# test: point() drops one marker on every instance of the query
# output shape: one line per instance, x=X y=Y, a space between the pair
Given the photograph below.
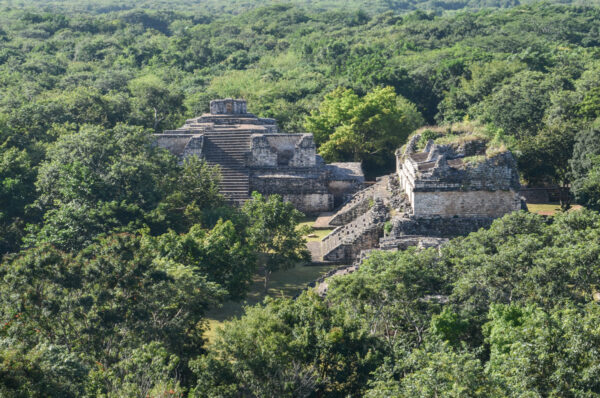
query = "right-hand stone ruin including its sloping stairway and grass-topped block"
x=449 y=185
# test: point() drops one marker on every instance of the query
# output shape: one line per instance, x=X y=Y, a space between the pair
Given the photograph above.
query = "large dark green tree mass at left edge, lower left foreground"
x=112 y=297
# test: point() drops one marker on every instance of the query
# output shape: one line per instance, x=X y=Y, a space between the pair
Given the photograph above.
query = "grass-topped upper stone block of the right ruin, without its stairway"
x=458 y=180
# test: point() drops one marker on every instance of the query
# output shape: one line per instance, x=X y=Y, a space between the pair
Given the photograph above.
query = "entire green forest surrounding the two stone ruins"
x=112 y=251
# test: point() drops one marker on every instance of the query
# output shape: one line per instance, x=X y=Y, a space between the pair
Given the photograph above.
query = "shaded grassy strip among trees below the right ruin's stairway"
x=282 y=284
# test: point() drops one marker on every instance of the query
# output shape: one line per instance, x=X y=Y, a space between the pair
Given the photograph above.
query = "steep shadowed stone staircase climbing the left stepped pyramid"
x=228 y=150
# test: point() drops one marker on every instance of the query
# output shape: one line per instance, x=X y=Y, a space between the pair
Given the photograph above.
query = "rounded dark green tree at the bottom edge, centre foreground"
x=289 y=348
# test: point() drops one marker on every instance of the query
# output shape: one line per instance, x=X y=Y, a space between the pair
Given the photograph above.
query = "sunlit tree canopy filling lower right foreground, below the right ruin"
x=504 y=312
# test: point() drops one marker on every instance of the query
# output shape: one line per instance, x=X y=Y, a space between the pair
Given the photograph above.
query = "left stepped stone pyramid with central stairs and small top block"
x=254 y=156
